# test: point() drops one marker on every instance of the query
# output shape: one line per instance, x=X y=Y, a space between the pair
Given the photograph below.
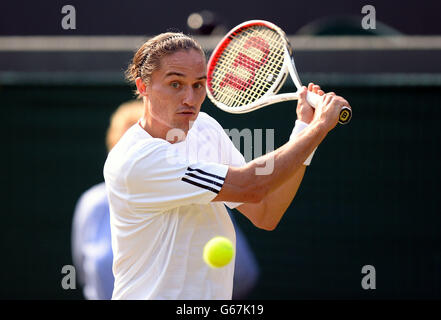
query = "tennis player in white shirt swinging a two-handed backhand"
x=170 y=175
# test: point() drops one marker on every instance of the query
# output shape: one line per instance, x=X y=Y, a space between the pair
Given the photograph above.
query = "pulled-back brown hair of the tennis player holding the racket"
x=148 y=57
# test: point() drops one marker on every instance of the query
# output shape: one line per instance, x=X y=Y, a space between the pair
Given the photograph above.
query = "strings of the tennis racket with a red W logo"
x=248 y=66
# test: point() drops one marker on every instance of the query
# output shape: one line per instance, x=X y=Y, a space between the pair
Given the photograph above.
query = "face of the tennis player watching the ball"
x=176 y=91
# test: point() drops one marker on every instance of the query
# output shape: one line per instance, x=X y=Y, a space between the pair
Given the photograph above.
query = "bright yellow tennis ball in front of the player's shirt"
x=218 y=252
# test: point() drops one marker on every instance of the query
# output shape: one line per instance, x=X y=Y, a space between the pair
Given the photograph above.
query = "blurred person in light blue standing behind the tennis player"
x=91 y=238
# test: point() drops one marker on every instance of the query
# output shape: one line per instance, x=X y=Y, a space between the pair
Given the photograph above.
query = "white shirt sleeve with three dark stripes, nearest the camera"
x=161 y=179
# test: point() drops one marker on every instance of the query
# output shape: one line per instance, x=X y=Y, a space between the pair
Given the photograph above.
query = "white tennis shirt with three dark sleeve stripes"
x=161 y=213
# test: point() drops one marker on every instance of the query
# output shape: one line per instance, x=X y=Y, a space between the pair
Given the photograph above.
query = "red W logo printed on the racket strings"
x=250 y=64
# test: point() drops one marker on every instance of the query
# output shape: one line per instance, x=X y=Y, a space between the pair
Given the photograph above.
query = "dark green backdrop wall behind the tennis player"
x=370 y=197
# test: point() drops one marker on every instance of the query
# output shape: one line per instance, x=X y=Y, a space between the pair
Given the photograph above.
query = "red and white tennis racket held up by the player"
x=250 y=65
